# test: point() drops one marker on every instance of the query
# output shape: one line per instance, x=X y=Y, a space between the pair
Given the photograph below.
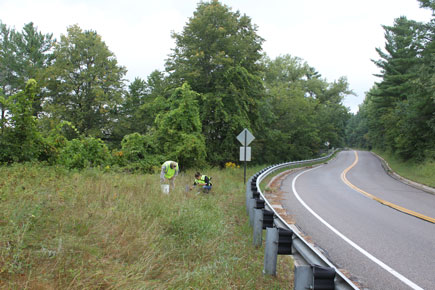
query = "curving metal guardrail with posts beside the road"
x=312 y=269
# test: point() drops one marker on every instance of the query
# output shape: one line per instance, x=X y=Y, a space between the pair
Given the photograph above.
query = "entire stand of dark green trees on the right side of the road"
x=398 y=113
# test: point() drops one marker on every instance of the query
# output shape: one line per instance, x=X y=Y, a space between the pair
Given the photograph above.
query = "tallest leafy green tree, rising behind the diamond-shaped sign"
x=218 y=54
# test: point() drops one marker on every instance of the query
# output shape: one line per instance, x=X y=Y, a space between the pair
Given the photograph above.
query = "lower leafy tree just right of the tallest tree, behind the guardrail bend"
x=306 y=110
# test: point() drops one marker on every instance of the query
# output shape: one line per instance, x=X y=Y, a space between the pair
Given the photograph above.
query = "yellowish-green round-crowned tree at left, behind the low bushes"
x=86 y=83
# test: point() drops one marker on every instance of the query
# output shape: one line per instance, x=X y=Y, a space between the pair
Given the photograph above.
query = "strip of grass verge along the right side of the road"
x=421 y=172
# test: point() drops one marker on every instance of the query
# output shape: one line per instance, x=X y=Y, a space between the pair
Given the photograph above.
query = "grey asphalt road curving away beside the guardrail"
x=381 y=248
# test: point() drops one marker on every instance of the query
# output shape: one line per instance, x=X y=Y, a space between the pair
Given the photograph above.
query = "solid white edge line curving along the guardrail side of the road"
x=346 y=239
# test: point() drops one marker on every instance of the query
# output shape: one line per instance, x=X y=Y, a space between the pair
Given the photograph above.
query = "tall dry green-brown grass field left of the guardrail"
x=62 y=229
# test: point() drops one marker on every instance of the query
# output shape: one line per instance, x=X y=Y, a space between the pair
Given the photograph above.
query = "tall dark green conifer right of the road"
x=400 y=100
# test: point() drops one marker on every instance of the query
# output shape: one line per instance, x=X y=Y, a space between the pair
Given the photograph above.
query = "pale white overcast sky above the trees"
x=336 y=37
